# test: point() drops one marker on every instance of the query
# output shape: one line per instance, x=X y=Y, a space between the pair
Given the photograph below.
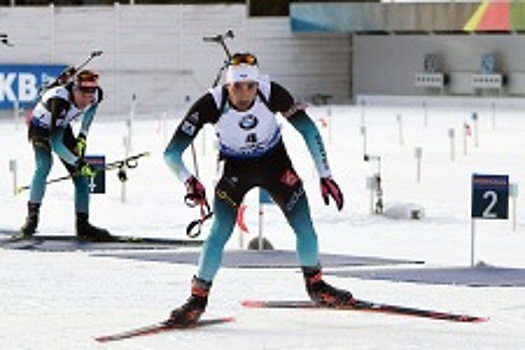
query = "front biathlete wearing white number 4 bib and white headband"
x=243 y=112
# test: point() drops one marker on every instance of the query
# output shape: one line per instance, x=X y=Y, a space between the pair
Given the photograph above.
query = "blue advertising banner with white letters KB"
x=21 y=82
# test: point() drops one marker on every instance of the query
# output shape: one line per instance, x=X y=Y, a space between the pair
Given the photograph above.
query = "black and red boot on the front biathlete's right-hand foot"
x=323 y=293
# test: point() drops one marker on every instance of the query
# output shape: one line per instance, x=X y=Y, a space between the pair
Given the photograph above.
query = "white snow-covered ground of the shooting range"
x=62 y=300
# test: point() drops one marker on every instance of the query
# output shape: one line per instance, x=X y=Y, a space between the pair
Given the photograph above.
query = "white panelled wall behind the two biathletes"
x=156 y=52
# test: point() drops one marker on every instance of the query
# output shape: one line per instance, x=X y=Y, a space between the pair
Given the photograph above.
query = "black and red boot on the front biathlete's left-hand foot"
x=190 y=312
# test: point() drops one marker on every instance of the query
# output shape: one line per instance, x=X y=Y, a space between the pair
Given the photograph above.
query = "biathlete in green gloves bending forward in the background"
x=50 y=133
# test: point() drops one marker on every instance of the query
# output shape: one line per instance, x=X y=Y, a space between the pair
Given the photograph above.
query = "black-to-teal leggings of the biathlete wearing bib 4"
x=273 y=172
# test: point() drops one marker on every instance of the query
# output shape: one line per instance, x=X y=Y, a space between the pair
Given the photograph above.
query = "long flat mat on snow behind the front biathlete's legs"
x=257 y=259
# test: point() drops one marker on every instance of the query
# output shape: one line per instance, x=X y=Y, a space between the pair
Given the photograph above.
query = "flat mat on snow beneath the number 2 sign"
x=485 y=276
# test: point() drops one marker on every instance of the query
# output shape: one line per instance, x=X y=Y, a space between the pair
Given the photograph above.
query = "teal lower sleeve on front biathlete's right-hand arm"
x=314 y=141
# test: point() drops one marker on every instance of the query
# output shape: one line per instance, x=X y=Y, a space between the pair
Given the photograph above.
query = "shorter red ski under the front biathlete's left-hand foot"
x=161 y=327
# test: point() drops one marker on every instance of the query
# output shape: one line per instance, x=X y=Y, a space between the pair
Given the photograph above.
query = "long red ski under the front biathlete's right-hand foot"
x=363 y=305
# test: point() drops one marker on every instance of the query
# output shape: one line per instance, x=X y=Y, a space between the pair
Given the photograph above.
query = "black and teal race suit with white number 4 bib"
x=251 y=145
